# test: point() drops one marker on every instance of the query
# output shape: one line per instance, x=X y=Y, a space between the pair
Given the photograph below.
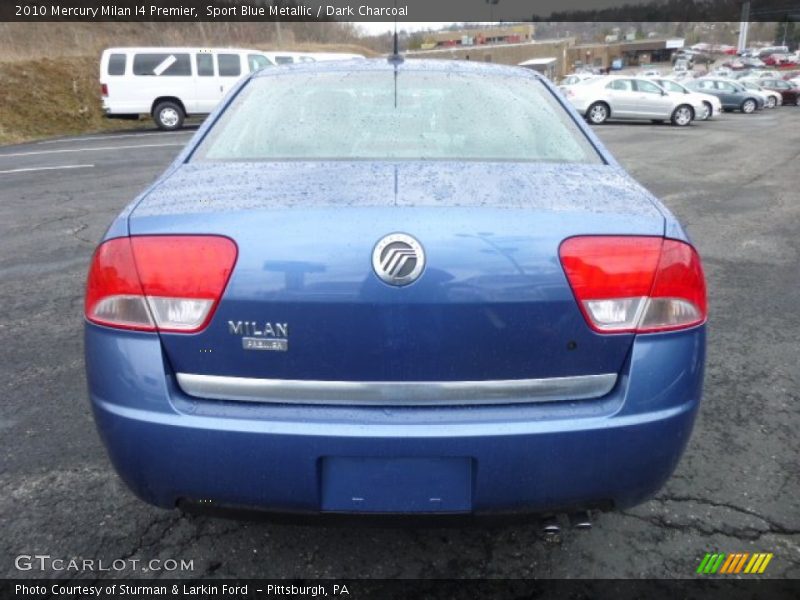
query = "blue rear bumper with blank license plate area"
x=611 y=451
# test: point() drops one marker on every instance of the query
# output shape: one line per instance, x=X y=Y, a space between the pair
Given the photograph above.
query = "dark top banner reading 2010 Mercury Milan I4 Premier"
x=399 y=10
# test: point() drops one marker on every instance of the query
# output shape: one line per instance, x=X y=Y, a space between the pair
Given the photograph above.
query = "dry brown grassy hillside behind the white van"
x=49 y=72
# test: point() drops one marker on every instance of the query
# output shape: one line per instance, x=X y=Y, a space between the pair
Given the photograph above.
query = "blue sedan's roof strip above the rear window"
x=383 y=64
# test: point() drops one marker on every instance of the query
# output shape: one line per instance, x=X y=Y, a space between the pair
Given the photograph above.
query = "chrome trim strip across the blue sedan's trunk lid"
x=397 y=393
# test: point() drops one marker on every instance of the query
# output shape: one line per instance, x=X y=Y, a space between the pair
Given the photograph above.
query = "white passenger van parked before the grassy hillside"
x=170 y=84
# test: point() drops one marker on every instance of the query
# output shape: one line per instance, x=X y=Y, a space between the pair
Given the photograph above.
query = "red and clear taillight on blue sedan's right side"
x=635 y=284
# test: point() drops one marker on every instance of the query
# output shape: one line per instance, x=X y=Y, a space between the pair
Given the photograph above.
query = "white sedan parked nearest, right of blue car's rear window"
x=618 y=97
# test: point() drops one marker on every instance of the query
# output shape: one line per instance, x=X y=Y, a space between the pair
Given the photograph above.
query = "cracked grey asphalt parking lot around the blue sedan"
x=732 y=181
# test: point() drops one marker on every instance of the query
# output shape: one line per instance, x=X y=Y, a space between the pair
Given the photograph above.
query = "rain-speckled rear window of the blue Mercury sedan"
x=427 y=116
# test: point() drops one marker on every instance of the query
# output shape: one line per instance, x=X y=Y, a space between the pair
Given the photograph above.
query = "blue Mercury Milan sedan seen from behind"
x=395 y=287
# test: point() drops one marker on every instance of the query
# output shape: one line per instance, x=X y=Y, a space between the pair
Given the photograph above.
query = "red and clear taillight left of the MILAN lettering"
x=165 y=283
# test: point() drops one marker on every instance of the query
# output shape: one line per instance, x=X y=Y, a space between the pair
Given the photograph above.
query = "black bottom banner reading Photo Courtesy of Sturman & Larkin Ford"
x=255 y=589
